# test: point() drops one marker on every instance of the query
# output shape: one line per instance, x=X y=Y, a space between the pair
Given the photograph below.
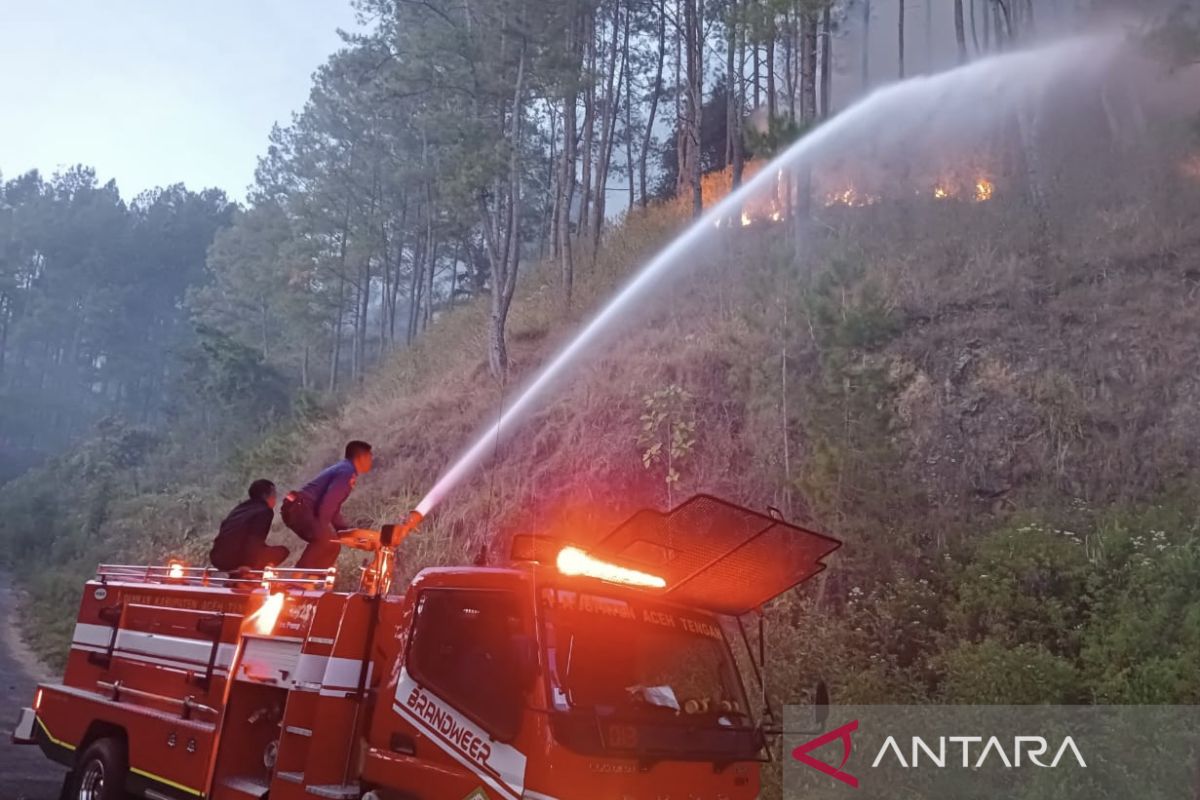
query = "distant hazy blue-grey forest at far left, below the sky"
x=92 y=306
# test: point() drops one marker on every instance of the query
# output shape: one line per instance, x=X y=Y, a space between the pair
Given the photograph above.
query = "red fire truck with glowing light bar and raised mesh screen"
x=608 y=671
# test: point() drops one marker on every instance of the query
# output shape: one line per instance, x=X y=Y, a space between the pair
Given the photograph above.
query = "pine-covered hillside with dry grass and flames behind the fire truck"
x=986 y=386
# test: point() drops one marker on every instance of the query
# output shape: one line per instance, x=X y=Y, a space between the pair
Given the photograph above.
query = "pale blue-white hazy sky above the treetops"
x=157 y=92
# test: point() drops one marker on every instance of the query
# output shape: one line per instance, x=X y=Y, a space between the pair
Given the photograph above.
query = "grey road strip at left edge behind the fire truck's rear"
x=25 y=773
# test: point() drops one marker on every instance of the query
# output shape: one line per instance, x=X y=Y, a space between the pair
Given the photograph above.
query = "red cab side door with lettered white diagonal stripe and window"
x=461 y=695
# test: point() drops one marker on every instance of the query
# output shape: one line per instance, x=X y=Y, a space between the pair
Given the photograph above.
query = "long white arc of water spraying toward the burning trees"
x=1004 y=81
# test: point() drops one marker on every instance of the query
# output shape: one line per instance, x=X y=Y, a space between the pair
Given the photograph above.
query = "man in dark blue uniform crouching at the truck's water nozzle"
x=315 y=513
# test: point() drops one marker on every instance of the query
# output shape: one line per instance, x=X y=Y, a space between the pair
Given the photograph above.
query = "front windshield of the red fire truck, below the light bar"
x=641 y=661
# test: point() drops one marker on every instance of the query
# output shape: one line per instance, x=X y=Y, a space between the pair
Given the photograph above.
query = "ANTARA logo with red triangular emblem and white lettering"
x=970 y=753
